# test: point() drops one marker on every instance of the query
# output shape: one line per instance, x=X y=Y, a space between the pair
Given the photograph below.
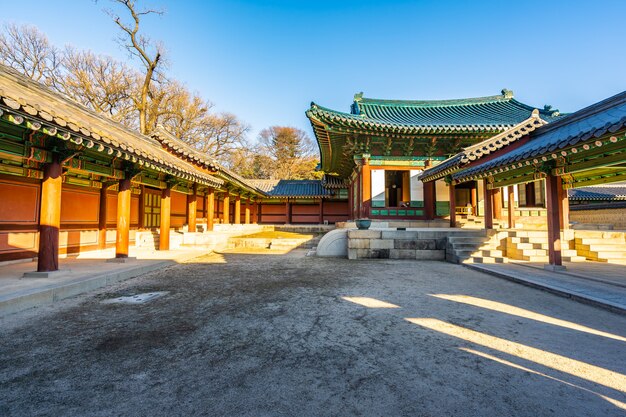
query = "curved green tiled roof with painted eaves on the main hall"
x=408 y=127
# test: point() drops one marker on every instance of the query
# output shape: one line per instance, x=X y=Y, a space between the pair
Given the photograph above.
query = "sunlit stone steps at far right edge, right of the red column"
x=602 y=247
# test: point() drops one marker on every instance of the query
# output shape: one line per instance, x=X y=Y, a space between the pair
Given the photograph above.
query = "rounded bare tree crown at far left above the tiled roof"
x=28 y=50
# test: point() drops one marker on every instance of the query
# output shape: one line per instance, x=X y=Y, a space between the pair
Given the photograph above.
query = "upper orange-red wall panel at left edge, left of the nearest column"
x=20 y=202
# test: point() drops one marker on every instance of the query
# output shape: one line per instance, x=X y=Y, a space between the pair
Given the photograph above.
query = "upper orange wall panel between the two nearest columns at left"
x=79 y=206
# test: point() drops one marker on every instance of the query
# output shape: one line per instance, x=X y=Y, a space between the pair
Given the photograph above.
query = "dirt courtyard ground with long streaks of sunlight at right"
x=289 y=335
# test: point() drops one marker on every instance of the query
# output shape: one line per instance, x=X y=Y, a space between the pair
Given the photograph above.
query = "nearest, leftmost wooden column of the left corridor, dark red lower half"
x=50 y=217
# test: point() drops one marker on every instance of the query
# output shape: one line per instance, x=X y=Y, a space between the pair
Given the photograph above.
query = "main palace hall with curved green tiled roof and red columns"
x=382 y=147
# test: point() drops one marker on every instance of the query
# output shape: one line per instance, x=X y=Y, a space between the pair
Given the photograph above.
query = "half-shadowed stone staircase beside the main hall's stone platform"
x=474 y=248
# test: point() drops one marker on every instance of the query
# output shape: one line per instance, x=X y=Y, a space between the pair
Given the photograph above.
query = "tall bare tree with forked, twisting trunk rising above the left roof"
x=149 y=54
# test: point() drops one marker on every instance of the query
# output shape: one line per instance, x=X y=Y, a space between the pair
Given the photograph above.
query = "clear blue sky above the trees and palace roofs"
x=266 y=61
